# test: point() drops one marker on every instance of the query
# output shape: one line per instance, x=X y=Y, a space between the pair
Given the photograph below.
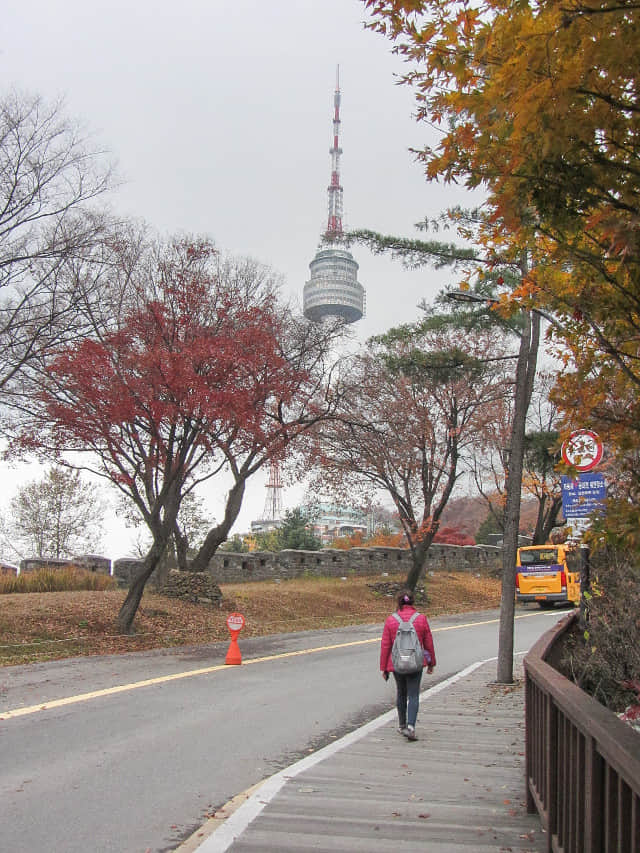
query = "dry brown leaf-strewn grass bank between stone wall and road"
x=42 y=626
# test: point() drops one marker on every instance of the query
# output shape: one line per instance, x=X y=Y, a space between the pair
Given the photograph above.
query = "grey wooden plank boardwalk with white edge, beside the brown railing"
x=459 y=787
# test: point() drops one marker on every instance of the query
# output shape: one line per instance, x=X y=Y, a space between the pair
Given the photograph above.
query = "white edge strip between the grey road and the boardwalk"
x=223 y=837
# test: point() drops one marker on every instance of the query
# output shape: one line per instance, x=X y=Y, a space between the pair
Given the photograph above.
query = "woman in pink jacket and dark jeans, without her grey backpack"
x=407 y=686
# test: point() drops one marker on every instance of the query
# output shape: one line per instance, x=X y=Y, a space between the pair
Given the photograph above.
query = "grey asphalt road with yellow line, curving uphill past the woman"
x=130 y=768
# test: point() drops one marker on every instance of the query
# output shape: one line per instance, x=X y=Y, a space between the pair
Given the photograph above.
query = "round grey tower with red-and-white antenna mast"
x=333 y=290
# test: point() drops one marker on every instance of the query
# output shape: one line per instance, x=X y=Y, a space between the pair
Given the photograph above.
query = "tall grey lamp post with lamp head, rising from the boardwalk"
x=525 y=375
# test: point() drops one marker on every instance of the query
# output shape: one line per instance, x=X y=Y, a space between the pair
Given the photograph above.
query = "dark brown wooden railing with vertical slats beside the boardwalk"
x=582 y=762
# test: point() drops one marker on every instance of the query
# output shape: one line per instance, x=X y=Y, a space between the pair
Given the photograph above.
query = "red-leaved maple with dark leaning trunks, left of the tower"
x=197 y=376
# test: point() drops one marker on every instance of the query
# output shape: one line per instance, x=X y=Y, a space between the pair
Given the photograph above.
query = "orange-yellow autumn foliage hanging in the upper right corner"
x=537 y=104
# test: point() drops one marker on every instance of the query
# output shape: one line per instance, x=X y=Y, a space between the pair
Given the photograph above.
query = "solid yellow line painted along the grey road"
x=161 y=679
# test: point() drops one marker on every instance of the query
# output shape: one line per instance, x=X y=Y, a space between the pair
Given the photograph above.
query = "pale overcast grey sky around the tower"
x=218 y=113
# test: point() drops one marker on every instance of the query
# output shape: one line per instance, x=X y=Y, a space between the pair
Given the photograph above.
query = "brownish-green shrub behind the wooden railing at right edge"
x=606 y=655
